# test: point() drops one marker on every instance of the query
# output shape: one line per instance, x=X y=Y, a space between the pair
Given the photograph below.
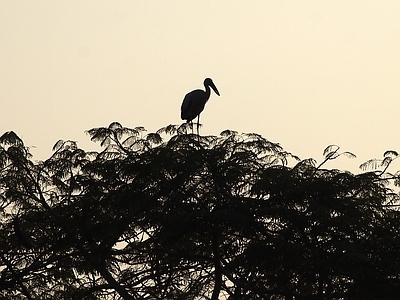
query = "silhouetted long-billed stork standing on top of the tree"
x=194 y=102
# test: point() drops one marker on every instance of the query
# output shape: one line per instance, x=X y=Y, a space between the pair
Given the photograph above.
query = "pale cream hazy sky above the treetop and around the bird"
x=305 y=74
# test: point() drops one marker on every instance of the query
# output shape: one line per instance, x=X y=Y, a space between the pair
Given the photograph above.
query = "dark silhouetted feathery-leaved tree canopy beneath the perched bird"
x=193 y=217
